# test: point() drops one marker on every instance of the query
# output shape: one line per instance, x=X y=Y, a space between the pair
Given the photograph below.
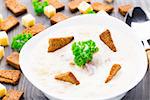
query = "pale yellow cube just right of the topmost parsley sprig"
x=49 y=11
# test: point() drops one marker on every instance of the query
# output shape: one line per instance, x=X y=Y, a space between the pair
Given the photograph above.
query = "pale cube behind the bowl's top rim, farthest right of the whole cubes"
x=84 y=7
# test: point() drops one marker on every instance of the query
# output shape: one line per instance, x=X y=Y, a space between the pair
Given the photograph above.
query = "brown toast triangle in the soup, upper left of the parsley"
x=57 y=43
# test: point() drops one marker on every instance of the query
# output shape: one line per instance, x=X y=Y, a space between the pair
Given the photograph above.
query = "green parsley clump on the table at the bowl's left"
x=19 y=40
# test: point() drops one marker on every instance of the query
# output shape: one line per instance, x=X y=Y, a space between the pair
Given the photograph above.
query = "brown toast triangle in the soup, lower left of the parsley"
x=67 y=77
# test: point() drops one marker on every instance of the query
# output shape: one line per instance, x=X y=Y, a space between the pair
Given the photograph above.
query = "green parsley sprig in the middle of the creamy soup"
x=83 y=52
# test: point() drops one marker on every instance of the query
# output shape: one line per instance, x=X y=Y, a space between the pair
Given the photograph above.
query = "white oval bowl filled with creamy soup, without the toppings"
x=38 y=65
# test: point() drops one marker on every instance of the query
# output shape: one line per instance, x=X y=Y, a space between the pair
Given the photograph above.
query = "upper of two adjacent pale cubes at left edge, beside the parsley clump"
x=4 y=41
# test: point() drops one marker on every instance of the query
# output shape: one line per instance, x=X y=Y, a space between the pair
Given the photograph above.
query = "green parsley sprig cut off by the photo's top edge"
x=39 y=6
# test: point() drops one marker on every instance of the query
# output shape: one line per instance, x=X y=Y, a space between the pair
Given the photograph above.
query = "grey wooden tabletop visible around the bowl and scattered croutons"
x=140 y=92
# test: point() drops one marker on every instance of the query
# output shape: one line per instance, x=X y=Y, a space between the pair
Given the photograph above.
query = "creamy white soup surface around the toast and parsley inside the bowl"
x=92 y=85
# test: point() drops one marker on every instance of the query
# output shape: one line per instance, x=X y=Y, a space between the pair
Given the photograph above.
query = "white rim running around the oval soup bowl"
x=67 y=21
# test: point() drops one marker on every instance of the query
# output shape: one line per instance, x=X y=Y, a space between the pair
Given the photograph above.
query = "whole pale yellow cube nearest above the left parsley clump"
x=28 y=20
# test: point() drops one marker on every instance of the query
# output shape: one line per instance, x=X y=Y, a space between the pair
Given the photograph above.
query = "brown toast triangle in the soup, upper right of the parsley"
x=107 y=39
